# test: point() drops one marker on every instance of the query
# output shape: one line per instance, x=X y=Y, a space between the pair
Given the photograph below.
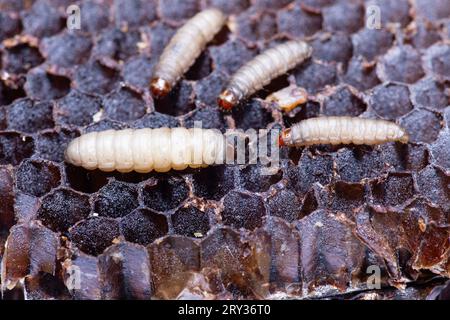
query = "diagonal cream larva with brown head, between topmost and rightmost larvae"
x=262 y=69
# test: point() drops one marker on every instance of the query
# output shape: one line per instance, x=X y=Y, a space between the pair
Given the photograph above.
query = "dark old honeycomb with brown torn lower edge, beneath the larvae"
x=314 y=229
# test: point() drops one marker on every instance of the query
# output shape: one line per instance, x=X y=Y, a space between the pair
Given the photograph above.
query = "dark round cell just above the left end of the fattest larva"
x=76 y=108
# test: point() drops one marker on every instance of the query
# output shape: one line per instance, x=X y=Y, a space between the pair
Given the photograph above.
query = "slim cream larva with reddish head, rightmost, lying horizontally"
x=342 y=130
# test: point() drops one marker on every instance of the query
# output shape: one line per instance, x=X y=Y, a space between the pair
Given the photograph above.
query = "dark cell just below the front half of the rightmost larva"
x=311 y=169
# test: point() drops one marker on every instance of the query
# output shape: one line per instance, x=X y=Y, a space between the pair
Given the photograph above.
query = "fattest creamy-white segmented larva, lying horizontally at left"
x=144 y=150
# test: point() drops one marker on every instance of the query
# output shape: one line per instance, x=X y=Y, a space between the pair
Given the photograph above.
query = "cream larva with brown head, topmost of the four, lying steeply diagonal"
x=184 y=47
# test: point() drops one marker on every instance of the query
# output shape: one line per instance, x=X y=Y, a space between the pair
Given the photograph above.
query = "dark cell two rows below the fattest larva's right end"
x=243 y=210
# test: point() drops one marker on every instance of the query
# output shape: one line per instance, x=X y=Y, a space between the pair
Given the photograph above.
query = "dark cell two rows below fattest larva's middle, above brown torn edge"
x=143 y=226
